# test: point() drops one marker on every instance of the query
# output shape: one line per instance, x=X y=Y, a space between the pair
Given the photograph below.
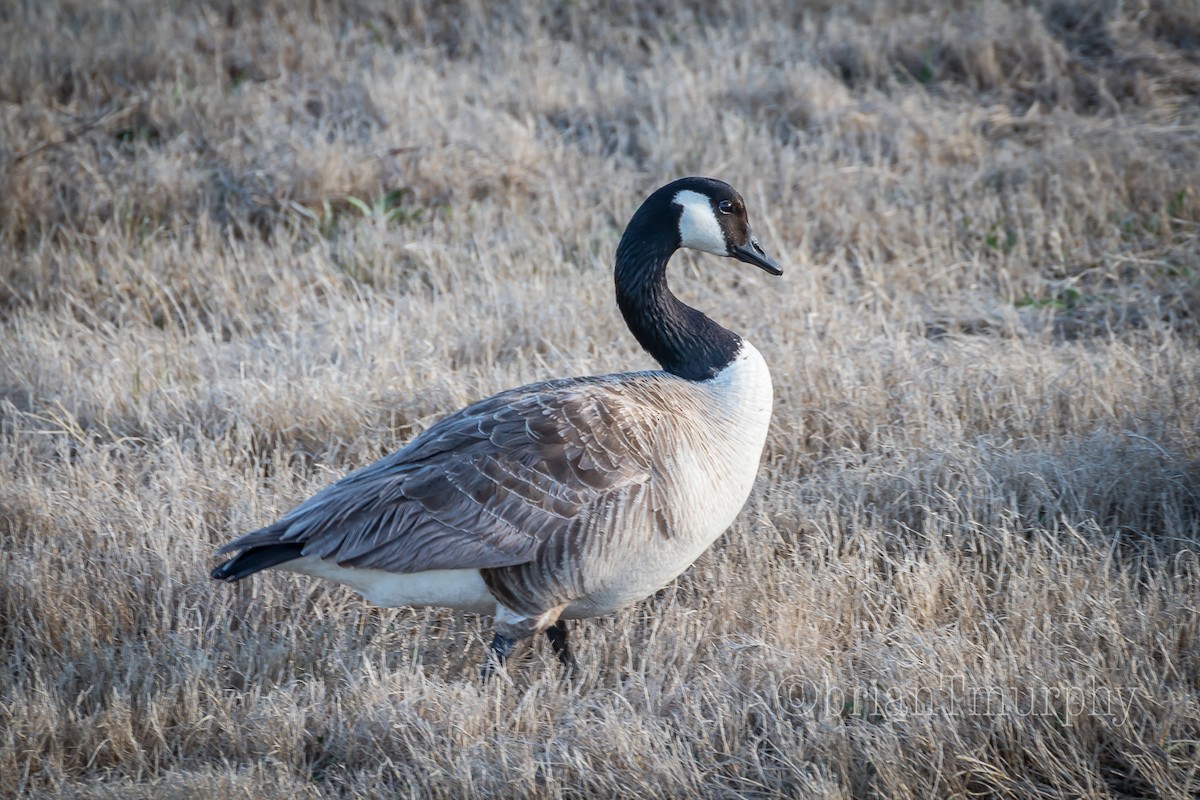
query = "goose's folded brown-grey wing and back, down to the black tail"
x=485 y=488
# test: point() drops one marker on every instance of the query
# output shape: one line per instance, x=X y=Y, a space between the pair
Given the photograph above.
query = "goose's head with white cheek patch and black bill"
x=713 y=220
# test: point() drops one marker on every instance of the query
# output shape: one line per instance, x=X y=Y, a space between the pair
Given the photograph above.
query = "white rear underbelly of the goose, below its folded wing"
x=463 y=590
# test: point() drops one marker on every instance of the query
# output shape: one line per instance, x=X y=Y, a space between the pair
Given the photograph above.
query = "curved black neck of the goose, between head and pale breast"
x=681 y=339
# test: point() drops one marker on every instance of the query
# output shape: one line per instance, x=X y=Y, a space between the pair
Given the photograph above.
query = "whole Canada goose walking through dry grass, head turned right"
x=568 y=498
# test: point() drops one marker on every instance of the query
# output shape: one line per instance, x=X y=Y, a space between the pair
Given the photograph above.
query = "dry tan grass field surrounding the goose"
x=248 y=248
